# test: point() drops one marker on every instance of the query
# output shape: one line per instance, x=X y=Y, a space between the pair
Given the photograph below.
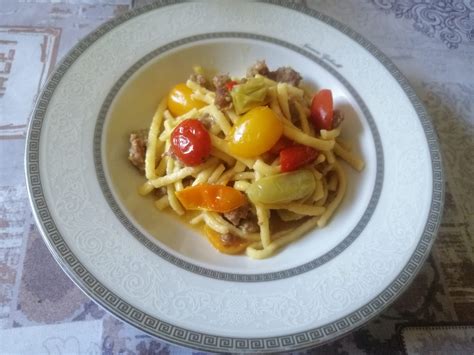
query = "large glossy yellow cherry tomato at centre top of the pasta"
x=255 y=132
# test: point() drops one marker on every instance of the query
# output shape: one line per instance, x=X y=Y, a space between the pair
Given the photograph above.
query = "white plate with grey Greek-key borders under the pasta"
x=160 y=276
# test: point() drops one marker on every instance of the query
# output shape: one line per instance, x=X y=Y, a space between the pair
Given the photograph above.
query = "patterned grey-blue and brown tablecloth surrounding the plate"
x=431 y=41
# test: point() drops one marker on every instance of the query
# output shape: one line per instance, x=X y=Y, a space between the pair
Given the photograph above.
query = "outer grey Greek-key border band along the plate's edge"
x=201 y=340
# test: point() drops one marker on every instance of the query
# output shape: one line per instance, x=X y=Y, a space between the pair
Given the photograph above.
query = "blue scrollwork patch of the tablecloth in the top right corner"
x=450 y=20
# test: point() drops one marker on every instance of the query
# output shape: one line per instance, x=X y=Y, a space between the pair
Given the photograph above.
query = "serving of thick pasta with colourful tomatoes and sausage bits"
x=245 y=157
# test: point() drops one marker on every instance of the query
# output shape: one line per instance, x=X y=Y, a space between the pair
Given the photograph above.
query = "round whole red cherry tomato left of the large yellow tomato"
x=190 y=142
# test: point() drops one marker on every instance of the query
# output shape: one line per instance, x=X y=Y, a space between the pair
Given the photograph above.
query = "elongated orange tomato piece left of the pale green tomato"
x=208 y=197
